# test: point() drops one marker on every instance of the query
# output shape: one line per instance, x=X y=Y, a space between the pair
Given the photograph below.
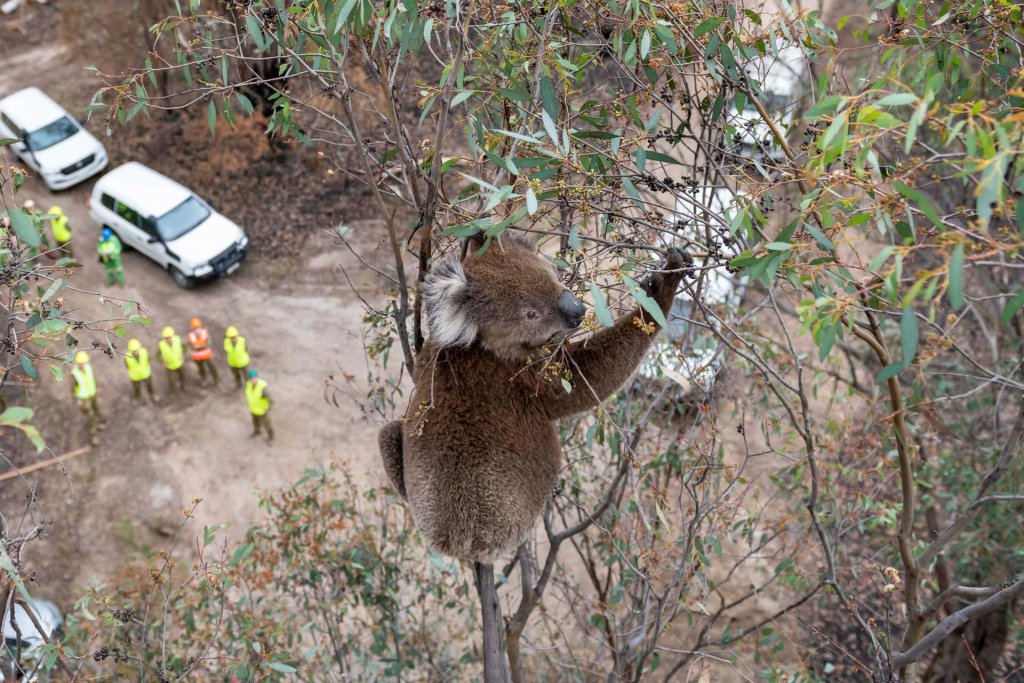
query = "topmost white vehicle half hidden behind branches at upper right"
x=781 y=77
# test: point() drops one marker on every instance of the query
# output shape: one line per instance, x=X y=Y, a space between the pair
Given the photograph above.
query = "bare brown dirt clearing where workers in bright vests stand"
x=303 y=322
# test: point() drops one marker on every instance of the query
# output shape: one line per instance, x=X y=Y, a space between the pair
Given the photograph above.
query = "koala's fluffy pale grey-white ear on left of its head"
x=446 y=295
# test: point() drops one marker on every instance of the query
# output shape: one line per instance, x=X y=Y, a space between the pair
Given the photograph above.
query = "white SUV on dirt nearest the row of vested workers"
x=167 y=223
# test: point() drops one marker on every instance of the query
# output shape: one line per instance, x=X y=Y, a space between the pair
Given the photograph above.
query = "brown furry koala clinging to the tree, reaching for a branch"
x=478 y=454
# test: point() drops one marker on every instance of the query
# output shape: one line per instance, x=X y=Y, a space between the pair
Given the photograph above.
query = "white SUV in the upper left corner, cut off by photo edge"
x=51 y=142
